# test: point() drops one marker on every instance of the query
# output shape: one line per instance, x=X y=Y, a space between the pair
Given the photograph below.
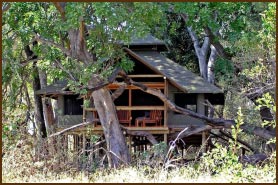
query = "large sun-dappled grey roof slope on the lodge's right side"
x=175 y=73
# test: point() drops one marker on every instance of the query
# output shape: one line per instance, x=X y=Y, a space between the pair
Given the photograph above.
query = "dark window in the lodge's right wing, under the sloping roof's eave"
x=188 y=101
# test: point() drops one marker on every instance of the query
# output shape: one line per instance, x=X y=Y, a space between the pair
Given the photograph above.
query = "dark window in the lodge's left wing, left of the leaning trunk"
x=73 y=105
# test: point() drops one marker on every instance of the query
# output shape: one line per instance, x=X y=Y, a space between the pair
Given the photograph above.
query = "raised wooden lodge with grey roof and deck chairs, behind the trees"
x=153 y=69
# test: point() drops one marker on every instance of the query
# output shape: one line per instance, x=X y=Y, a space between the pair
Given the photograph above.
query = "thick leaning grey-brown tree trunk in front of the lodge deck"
x=118 y=152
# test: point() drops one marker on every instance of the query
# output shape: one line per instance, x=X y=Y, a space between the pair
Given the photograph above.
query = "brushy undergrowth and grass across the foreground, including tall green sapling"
x=48 y=161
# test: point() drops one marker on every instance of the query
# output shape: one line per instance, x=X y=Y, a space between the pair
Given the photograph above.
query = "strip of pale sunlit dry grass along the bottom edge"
x=129 y=174
